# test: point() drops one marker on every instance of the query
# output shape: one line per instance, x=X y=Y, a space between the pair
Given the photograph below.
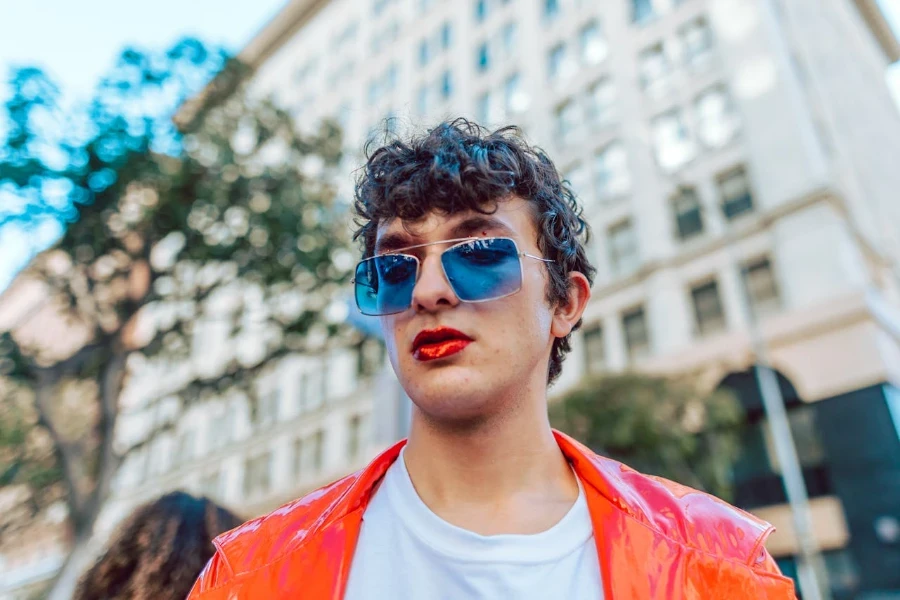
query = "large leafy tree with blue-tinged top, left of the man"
x=232 y=220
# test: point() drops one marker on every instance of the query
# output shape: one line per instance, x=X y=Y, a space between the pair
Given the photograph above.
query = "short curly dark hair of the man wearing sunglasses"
x=459 y=166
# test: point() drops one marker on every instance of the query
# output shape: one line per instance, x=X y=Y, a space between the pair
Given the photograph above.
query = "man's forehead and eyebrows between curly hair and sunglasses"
x=513 y=218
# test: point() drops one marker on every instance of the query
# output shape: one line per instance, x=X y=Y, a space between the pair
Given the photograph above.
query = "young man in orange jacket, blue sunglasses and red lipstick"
x=475 y=264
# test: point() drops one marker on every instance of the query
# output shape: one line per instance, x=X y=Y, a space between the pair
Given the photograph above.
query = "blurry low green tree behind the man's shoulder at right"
x=656 y=425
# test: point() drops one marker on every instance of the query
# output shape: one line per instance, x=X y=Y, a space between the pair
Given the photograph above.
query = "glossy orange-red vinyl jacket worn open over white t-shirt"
x=655 y=539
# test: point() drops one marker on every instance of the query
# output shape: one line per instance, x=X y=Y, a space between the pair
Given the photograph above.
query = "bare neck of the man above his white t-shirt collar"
x=499 y=462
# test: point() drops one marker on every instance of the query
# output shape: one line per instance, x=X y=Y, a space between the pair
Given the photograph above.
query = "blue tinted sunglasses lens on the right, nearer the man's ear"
x=483 y=269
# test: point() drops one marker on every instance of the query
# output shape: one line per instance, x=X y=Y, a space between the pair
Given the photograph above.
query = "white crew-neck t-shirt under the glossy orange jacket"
x=406 y=552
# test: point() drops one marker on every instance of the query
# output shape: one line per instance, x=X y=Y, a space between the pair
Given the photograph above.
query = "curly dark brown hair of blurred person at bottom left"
x=159 y=551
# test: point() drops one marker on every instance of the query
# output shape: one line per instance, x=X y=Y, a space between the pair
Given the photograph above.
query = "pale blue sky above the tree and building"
x=75 y=41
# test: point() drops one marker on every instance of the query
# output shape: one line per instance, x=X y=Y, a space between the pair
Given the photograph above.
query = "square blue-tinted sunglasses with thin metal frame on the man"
x=478 y=270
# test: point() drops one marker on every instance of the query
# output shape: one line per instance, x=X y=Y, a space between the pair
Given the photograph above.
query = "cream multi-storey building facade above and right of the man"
x=735 y=160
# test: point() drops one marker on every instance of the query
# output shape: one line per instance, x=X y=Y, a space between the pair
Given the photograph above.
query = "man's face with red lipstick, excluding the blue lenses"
x=460 y=380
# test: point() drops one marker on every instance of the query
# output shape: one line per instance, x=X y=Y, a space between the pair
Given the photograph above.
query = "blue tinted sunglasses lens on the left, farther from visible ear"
x=384 y=284
